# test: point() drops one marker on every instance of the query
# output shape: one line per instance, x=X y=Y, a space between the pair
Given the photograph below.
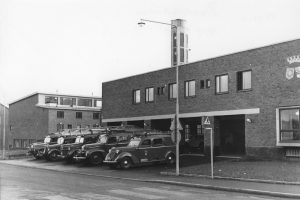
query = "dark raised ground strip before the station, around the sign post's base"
x=258 y=170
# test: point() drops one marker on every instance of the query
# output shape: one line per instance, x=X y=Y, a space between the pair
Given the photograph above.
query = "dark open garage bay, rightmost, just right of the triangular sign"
x=232 y=135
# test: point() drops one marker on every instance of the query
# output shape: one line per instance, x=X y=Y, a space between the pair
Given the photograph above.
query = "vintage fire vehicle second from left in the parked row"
x=51 y=151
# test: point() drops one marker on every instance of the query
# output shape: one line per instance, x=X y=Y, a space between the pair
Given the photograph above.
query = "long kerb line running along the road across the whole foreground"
x=178 y=183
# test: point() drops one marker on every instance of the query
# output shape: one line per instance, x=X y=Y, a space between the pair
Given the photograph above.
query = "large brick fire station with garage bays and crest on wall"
x=251 y=98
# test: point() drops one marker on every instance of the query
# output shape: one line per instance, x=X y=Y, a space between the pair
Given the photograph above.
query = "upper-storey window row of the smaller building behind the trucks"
x=69 y=101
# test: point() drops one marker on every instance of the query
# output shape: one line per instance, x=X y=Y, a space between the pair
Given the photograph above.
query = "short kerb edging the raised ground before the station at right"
x=233 y=179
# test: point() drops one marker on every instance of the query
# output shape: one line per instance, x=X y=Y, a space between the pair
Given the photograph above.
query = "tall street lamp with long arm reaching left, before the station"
x=142 y=23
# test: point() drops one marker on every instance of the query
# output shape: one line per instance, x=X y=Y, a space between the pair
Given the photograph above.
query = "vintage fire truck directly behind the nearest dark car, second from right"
x=96 y=152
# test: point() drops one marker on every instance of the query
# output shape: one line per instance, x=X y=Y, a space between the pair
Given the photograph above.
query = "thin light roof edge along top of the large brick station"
x=207 y=59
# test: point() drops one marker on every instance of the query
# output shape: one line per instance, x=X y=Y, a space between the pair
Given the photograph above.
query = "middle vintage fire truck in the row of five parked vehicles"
x=68 y=151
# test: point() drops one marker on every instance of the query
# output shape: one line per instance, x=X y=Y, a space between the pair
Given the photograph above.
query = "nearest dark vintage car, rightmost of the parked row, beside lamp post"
x=140 y=150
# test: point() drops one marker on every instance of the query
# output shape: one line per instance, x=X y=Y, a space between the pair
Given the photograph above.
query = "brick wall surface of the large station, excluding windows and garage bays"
x=270 y=90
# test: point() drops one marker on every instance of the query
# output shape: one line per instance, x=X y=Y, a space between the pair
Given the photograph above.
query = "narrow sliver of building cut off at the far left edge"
x=4 y=112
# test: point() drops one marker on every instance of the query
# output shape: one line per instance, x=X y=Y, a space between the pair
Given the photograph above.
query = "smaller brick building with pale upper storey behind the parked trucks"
x=34 y=116
